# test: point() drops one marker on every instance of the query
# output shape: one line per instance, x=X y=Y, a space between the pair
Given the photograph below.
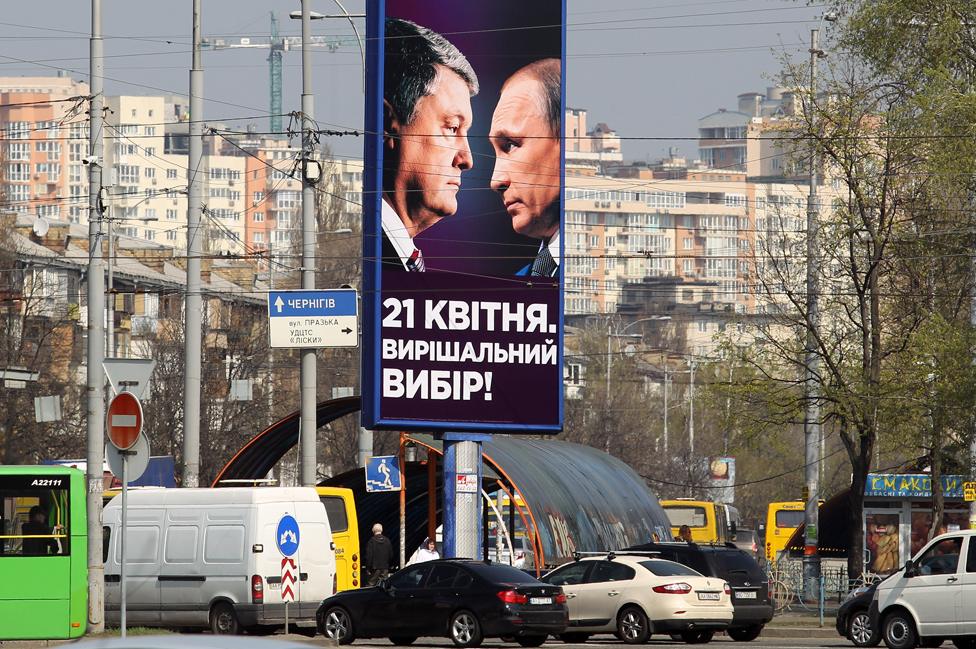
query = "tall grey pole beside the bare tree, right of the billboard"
x=811 y=423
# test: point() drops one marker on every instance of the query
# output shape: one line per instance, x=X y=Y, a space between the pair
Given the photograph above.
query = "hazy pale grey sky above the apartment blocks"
x=648 y=68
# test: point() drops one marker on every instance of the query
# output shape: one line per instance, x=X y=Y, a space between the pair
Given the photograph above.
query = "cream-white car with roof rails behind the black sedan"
x=635 y=595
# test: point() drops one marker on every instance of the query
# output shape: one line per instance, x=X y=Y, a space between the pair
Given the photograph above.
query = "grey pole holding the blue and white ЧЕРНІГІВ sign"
x=310 y=174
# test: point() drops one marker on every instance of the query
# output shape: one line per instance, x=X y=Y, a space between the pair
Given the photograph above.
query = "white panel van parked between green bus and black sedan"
x=208 y=558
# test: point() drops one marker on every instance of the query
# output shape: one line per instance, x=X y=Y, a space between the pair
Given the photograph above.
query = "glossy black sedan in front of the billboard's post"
x=464 y=600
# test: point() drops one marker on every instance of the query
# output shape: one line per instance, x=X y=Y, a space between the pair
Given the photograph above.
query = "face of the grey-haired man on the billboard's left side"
x=433 y=150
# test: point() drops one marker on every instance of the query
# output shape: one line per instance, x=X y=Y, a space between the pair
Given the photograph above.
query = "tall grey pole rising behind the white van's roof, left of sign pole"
x=193 y=304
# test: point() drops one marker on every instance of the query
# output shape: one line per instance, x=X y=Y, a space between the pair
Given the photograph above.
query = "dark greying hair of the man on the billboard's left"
x=411 y=59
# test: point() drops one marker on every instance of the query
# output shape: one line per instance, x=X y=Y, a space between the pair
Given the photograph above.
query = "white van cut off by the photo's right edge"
x=933 y=598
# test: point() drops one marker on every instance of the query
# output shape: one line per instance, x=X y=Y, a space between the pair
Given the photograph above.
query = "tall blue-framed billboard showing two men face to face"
x=463 y=190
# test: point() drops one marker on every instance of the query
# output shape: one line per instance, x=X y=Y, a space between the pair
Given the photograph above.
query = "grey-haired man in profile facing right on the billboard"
x=427 y=90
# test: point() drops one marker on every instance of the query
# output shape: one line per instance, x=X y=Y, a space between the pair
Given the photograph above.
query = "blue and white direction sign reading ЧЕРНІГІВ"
x=306 y=319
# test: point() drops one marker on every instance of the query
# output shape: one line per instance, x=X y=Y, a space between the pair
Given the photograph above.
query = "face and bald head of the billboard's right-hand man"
x=526 y=159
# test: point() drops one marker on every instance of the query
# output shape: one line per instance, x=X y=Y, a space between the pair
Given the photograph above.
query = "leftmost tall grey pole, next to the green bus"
x=96 y=340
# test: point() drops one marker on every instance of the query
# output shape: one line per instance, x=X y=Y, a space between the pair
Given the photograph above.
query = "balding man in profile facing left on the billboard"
x=525 y=133
